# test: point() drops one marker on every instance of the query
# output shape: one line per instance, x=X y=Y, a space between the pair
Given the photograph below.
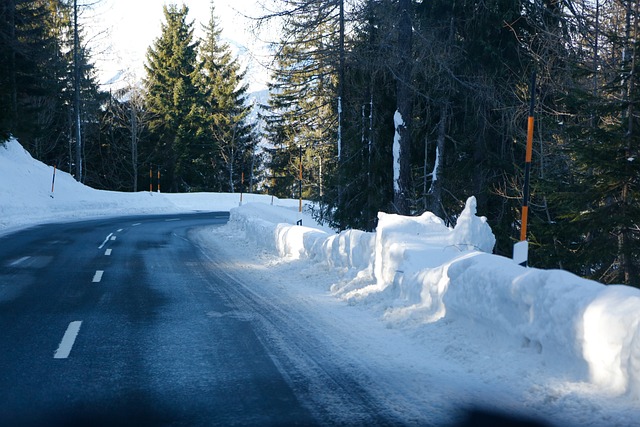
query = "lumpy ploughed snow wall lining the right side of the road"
x=417 y=271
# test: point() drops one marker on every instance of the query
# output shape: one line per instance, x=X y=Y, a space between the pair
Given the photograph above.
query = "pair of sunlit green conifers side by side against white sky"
x=200 y=138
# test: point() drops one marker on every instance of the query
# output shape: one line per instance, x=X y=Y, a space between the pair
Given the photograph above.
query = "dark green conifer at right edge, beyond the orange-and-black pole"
x=600 y=207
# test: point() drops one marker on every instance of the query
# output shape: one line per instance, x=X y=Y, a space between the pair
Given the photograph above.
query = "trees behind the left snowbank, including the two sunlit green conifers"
x=186 y=121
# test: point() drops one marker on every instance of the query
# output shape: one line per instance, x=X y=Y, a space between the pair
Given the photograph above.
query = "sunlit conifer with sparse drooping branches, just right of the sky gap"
x=302 y=111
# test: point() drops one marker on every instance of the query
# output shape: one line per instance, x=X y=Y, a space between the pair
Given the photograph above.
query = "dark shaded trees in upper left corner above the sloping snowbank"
x=37 y=80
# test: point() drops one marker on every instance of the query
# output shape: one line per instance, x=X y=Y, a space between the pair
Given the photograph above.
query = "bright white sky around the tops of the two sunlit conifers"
x=127 y=28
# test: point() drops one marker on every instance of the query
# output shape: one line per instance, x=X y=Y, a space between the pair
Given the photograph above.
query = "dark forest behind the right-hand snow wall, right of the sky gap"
x=433 y=107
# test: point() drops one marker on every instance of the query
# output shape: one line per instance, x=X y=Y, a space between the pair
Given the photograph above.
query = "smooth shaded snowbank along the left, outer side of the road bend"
x=26 y=195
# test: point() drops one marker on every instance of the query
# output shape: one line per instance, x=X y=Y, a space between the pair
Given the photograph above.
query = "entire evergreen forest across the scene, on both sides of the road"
x=400 y=106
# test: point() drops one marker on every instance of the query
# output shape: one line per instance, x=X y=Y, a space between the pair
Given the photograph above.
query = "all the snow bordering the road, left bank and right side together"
x=438 y=318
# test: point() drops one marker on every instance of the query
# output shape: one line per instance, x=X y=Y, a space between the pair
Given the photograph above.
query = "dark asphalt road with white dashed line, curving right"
x=127 y=321
